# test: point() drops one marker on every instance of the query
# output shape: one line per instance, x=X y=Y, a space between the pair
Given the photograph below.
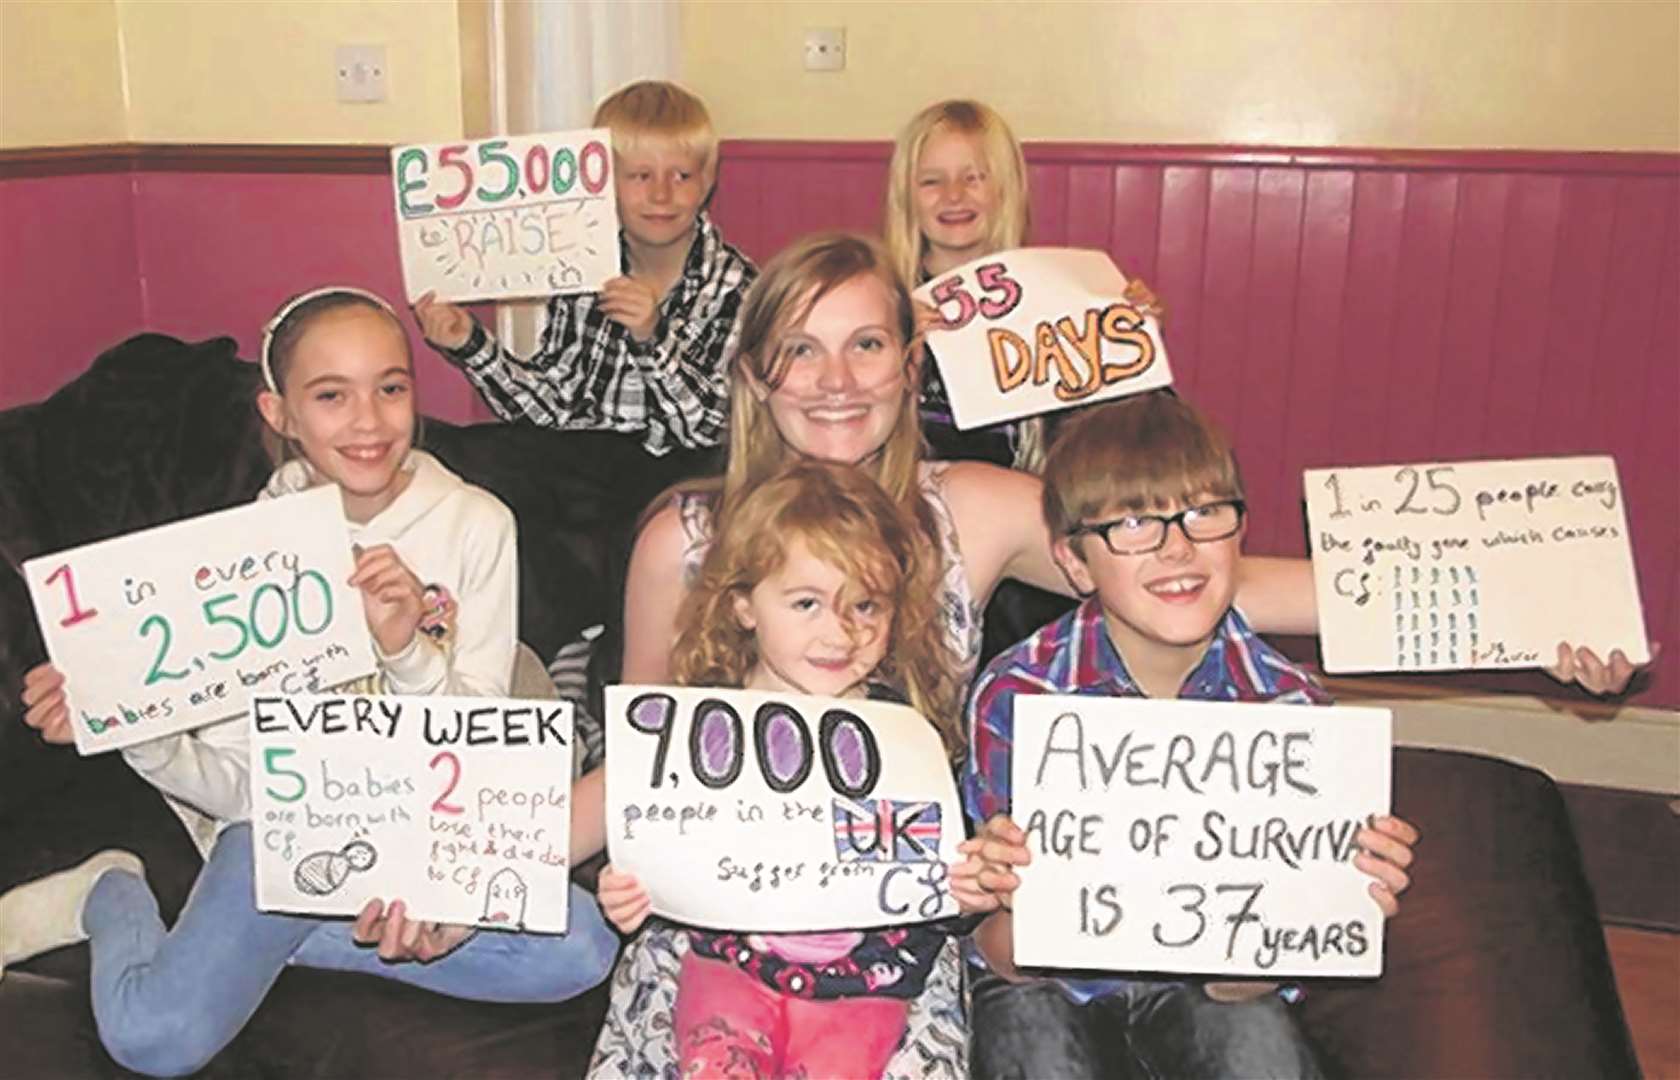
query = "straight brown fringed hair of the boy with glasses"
x=1137 y=454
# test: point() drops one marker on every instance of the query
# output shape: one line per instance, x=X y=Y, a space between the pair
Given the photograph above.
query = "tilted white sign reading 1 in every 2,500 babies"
x=176 y=627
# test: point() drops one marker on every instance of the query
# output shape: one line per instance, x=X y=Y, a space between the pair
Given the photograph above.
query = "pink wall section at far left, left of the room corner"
x=68 y=278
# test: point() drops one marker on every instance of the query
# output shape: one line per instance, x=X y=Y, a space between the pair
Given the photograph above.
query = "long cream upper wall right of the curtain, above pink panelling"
x=1353 y=73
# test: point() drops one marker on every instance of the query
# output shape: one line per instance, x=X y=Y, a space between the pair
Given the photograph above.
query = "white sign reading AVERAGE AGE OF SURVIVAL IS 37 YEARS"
x=1197 y=837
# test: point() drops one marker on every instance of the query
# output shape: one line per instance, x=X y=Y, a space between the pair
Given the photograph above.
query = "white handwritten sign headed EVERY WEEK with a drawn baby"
x=459 y=807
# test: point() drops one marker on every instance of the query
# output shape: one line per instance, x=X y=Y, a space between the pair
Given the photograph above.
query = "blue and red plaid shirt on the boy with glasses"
x=1074 y=656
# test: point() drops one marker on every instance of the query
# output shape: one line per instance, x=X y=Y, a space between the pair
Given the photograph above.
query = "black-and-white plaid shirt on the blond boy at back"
x=591 y=375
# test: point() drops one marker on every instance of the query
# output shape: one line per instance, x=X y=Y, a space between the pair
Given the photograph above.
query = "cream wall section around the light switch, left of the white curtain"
x=261 y=71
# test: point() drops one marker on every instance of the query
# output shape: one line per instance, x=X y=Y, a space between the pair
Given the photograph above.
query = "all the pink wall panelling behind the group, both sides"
x=1330 y=308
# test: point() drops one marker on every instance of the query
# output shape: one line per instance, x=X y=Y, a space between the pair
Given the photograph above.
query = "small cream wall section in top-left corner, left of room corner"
x=61 y=73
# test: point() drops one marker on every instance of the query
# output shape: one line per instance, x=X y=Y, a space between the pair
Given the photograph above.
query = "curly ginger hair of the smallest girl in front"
x=846 y=520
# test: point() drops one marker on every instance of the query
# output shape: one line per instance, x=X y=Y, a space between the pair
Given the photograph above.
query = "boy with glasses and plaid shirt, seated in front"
x=1147 y=515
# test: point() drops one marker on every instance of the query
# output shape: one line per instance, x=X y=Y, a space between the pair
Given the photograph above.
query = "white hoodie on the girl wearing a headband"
x=448 y=533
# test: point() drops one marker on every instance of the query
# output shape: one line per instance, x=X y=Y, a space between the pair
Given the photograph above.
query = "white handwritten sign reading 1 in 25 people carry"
x=1473 y=565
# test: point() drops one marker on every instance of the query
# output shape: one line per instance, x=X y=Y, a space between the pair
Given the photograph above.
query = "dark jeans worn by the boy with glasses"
x=1148 y=1030
